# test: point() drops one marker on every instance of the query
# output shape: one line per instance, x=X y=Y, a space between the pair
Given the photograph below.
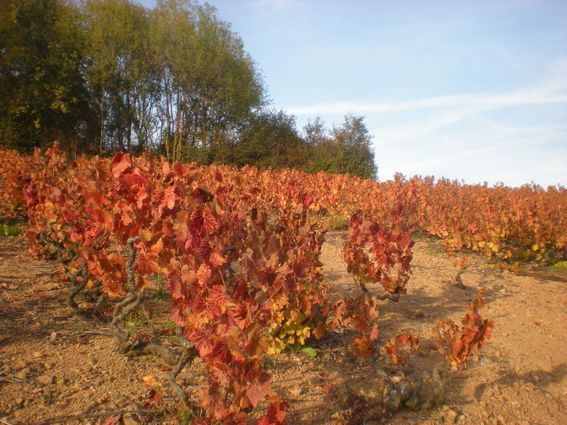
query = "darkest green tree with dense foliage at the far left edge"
x=43 y=92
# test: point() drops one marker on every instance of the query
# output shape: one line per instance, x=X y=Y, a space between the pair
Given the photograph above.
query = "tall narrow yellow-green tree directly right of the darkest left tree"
x=121 y=73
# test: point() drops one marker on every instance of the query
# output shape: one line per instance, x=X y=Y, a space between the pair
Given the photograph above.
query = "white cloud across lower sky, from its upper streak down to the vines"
x=460 y=137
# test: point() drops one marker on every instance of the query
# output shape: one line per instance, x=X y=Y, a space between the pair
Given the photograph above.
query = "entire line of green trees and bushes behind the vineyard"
x=103 y=76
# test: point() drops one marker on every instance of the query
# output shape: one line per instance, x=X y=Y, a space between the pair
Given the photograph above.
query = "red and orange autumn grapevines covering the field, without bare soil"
x=239 y=251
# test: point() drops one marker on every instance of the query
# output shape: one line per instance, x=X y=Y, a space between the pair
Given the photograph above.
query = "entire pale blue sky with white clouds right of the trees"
x=468 y=90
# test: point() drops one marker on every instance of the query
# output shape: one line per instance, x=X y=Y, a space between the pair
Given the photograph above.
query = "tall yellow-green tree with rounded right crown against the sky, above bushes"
x=209 y=84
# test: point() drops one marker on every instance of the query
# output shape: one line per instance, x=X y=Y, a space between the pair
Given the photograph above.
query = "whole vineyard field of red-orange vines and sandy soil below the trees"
x=143 y=291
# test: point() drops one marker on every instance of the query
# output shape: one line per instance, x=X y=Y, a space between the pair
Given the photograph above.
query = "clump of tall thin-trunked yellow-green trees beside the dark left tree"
x=174 y=78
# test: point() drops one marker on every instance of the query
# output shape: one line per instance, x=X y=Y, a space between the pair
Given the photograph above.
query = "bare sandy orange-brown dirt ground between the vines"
x=57 y=367
